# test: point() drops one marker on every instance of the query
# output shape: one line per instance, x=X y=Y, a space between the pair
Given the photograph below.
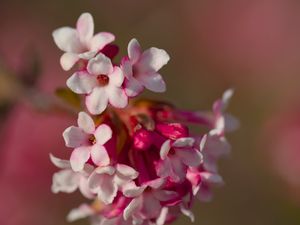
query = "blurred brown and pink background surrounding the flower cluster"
x=252 y=46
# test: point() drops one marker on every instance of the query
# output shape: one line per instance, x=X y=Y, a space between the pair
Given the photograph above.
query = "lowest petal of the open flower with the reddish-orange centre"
x=97 y=101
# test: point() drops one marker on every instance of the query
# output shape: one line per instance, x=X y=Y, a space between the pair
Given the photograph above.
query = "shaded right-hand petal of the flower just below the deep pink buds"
x=190 y=157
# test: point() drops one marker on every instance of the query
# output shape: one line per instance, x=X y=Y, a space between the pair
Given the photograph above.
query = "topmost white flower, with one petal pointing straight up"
x=80 y=43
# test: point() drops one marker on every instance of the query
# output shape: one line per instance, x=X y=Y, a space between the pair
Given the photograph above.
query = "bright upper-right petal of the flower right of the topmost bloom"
x=153 y=59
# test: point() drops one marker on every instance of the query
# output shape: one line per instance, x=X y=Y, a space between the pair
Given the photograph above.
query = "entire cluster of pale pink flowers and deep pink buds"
x=136 y=160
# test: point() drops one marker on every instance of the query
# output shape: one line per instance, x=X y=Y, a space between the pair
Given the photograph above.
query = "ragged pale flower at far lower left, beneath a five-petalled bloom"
x=69 y=181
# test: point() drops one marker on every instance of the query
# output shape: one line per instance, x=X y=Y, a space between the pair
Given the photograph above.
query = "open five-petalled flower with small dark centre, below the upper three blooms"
x=87 y=141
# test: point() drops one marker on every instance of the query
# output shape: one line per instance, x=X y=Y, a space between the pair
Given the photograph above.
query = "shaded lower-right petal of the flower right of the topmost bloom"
x=153 y=81
